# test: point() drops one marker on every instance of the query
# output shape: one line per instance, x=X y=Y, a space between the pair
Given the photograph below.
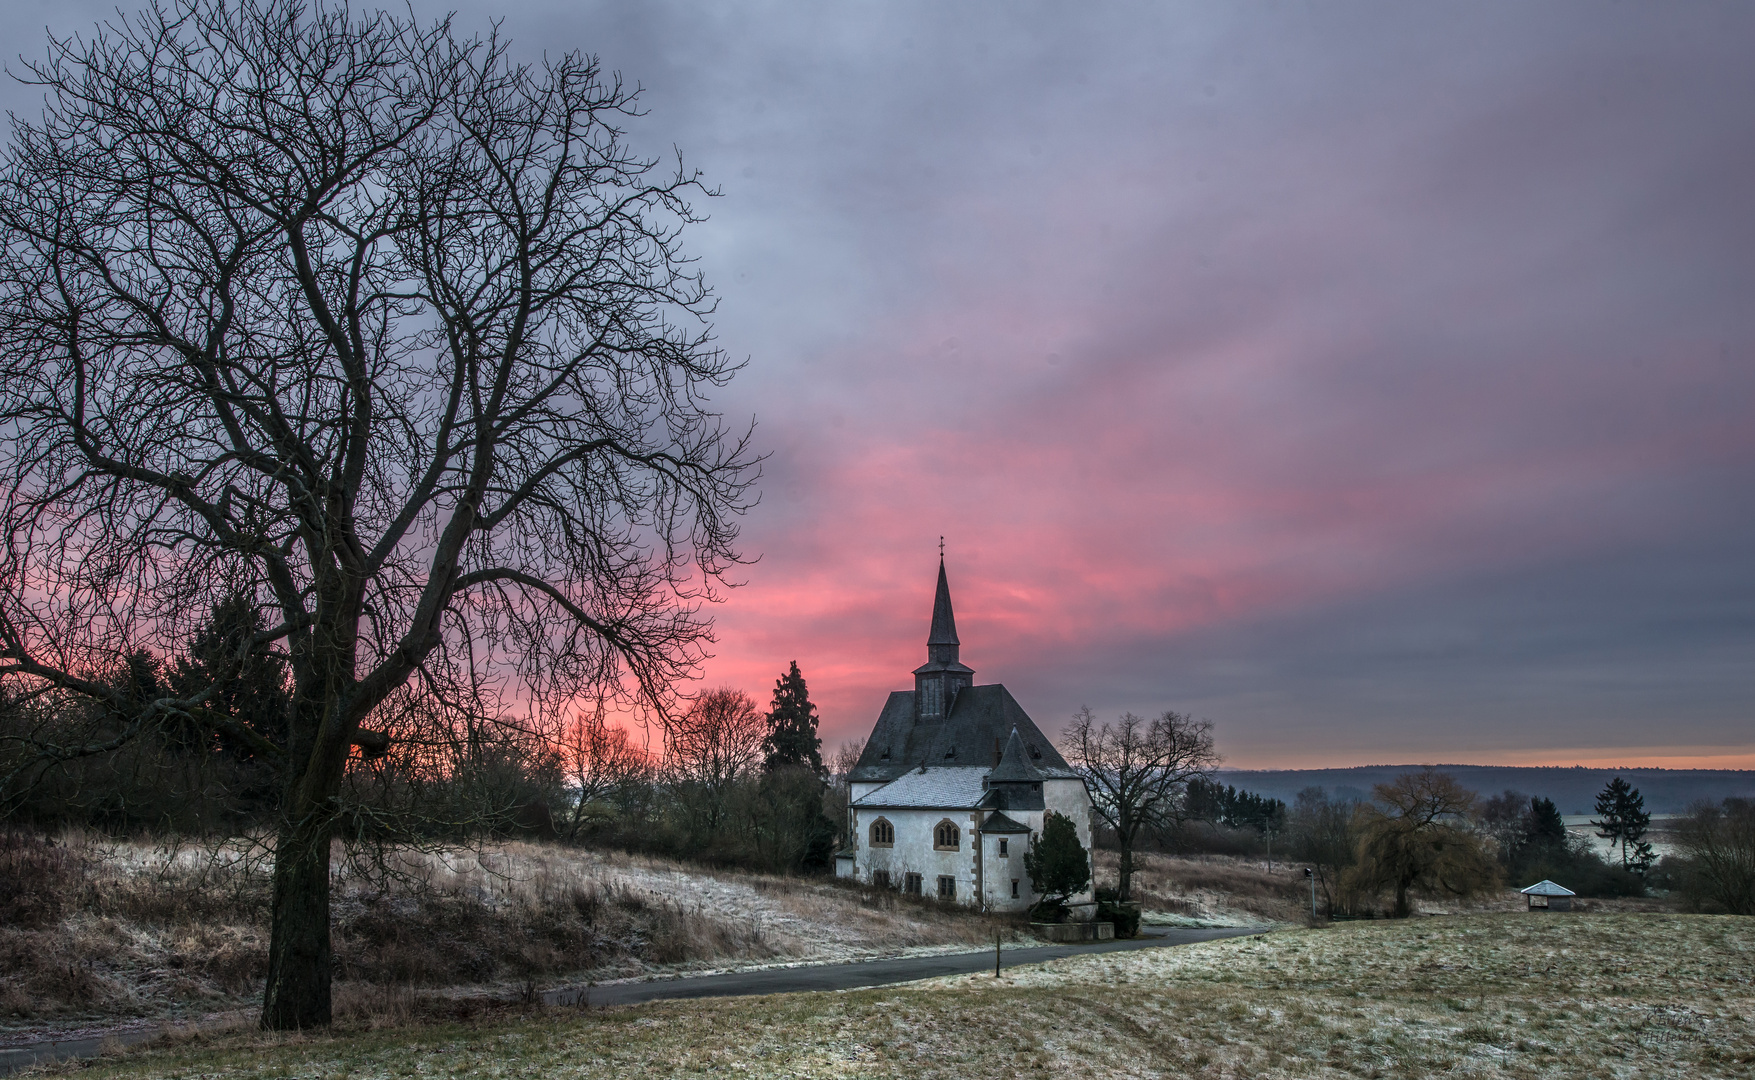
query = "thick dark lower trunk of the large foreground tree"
x=299 y=949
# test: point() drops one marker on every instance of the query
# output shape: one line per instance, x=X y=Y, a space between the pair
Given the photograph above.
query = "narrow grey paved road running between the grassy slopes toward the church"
x=773 y=981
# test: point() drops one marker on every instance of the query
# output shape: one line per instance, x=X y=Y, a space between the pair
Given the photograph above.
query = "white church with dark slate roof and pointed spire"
x=954 y=782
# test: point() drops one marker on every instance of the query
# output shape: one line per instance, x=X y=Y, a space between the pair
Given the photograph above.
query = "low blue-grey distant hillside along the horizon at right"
x=1573 y=791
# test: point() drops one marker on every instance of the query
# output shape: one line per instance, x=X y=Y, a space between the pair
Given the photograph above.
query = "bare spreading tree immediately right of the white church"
x=1138 y=772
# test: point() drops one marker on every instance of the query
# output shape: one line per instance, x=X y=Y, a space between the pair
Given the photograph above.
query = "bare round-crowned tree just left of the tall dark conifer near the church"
x=712 y=747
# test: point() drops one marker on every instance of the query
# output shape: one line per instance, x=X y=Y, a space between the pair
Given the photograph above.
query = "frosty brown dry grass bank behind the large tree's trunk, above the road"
x=178 y=932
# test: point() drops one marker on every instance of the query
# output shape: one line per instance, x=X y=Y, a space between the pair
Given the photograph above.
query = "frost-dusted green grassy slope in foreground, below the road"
x=1472 y=997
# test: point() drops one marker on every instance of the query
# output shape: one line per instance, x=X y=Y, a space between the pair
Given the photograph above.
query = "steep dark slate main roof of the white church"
x=978 y=721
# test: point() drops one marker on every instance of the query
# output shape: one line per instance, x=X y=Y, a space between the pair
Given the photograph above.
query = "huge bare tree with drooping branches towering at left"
x=359 y=320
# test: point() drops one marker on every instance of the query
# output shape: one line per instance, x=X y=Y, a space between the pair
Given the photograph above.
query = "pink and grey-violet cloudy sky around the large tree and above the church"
x=1373 y=380
